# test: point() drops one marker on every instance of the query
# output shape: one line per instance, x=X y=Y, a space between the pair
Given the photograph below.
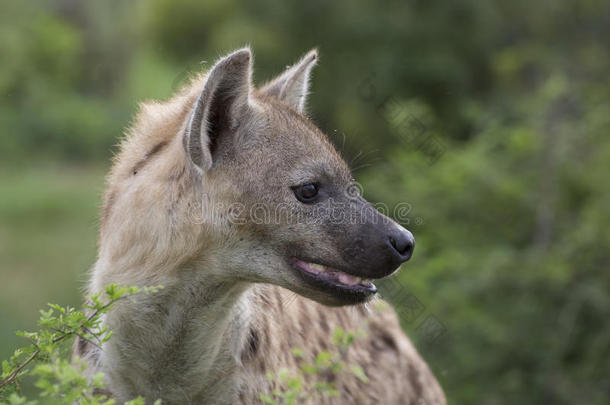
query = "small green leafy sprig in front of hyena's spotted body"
x=315 y=376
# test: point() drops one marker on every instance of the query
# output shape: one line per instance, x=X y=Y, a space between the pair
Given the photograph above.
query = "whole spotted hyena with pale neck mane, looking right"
x=236 y=203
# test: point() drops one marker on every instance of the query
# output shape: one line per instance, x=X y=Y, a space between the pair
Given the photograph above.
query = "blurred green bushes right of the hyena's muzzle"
x=512 y=251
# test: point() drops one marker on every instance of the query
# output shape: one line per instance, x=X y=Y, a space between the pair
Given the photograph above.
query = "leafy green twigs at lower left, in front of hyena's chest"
x=45 y=358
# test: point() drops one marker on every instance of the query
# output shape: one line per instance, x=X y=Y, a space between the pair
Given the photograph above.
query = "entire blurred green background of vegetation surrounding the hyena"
x=488 y=123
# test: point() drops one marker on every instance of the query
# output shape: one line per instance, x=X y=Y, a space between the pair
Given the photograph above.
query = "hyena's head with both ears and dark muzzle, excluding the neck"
x=289 y=210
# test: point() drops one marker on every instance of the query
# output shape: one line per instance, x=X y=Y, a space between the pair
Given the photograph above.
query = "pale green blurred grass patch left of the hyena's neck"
x=48 y=231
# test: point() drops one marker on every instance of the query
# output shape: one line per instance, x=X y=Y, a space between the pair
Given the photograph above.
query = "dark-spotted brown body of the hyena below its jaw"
x=397 y=375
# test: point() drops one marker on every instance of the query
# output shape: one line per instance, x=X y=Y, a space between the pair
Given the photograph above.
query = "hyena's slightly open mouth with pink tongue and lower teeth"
x=337 y=279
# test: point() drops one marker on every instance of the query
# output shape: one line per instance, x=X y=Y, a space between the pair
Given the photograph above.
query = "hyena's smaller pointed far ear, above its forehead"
x=292 y=86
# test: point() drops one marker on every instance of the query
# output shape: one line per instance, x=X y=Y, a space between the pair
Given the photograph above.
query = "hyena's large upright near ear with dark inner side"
x=222 y=104
